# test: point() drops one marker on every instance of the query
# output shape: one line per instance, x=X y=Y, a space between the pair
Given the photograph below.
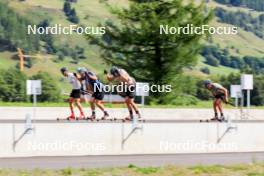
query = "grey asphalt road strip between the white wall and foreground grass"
x=125 y=160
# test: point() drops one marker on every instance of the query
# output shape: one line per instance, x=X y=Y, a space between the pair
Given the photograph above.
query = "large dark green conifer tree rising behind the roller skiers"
x=137 y=45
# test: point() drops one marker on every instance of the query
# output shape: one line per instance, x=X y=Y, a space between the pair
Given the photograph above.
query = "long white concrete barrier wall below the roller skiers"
x=65 y=139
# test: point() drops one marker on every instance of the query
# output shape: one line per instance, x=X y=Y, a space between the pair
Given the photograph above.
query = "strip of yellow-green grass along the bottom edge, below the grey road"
x=131 y=170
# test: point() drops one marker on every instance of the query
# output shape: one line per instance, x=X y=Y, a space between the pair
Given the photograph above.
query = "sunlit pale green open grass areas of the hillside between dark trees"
x=93 y=12
